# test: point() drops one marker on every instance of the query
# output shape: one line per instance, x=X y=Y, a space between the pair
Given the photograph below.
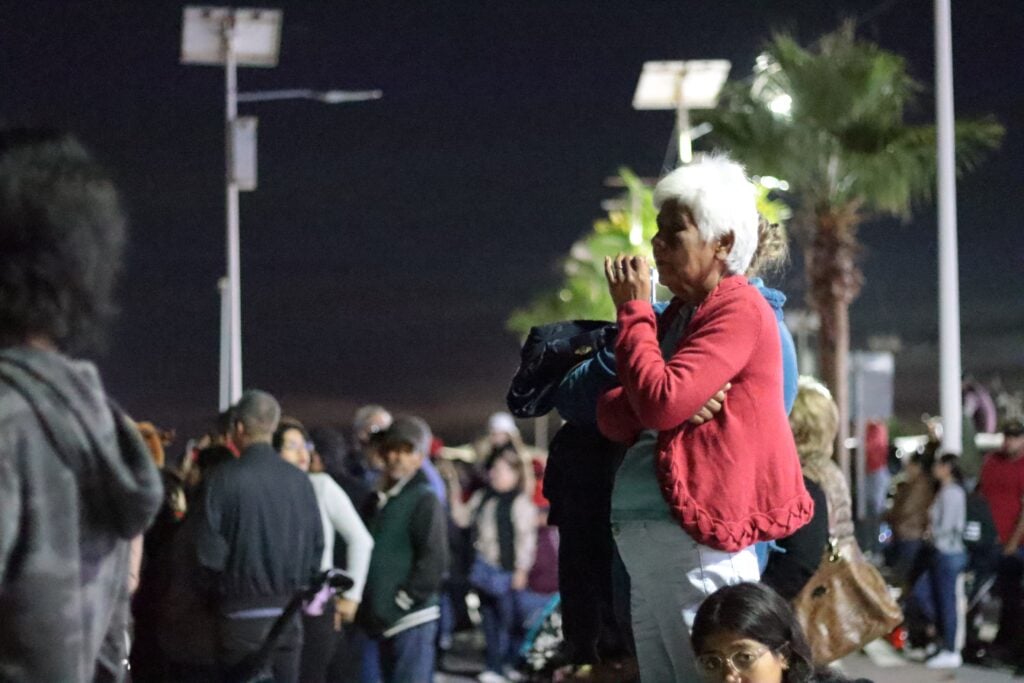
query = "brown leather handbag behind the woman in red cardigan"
x=845 y=606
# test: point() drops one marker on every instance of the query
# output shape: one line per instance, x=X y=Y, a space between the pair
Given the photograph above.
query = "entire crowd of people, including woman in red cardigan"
x=669 y=533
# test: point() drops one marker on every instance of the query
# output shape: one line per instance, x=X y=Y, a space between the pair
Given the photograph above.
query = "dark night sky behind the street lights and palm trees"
x=389 y=241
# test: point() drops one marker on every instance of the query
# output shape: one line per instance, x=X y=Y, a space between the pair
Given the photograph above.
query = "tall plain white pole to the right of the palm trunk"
x=950 y=341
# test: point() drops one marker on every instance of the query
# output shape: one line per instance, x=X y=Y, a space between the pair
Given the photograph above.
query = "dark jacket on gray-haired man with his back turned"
x=262 y=532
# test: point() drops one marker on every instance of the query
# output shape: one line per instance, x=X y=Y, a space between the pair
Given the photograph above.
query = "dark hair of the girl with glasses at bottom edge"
x=758 y=613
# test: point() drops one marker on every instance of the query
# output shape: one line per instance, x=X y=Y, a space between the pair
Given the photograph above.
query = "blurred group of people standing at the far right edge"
x=946 y=526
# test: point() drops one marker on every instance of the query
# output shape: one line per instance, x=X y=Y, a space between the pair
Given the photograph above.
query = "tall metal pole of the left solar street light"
x=234 y=270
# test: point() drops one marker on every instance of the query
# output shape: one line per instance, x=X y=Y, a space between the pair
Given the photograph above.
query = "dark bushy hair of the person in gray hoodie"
x=62 y=237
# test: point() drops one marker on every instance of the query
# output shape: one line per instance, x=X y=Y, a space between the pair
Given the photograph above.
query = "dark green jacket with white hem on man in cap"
x=409 y=561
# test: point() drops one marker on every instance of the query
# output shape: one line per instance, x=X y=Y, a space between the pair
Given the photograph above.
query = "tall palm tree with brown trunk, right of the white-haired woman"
x=830 y=120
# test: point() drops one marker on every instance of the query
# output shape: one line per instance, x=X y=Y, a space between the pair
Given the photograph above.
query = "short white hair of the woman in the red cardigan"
x=721 y=199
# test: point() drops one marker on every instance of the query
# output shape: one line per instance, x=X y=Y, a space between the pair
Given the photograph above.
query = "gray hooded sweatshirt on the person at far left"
x=77 y=484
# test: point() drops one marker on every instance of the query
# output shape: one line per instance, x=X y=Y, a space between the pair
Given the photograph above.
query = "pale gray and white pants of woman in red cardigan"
x=670 y=576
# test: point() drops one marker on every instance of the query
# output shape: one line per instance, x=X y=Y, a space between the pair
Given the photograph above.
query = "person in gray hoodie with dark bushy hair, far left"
x=77 y=483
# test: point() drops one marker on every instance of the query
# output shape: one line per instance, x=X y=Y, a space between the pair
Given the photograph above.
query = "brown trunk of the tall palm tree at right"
x=834 y=282
